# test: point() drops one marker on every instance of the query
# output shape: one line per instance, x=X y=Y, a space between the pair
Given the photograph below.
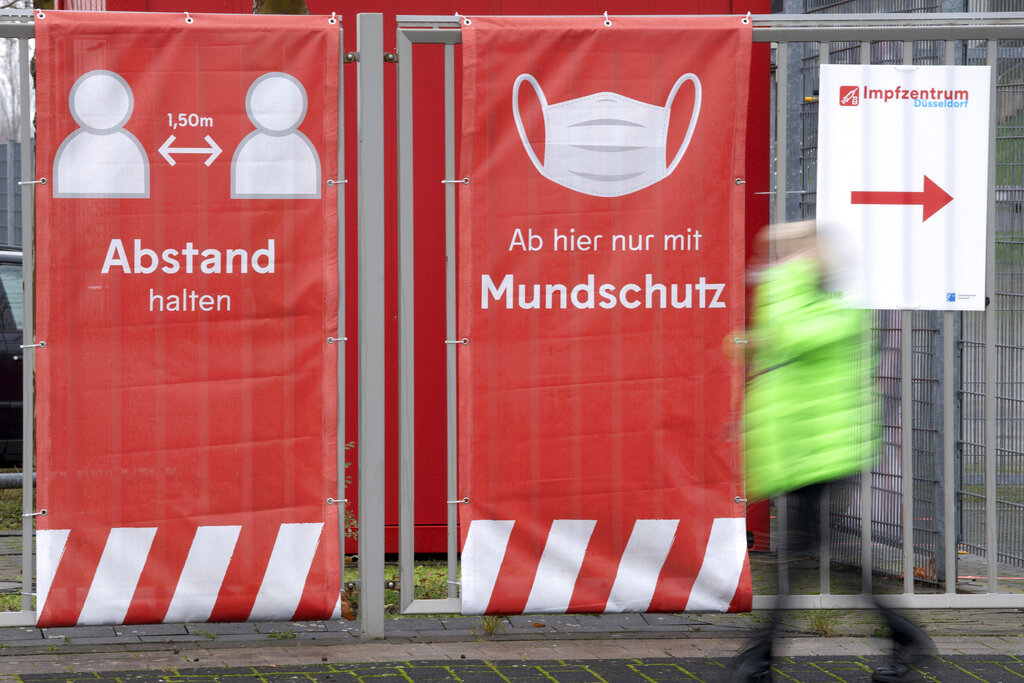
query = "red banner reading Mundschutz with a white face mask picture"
x=602 y=246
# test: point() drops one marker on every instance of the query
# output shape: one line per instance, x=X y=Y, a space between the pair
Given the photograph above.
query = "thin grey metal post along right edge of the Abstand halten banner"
x=343 y=345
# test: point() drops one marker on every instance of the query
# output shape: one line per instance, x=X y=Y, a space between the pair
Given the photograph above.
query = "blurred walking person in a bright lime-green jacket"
x=810 y=413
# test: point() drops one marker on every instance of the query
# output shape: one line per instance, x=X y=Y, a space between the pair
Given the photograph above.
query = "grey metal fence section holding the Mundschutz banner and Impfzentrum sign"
x=781 y=31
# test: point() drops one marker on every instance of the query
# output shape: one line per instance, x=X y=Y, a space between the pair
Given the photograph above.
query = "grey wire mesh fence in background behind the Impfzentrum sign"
x=968 y=478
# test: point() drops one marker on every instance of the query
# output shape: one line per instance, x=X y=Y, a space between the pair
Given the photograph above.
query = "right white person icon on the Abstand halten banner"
x=276 y=161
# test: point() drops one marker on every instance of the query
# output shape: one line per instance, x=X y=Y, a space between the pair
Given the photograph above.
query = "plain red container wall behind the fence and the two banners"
x=430 y=202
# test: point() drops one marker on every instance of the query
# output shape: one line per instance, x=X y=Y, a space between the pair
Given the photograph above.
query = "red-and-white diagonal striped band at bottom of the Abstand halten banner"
x=291 y=583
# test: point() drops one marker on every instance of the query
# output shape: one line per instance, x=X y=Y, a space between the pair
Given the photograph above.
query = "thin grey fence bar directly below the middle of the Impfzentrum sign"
x=907 y=417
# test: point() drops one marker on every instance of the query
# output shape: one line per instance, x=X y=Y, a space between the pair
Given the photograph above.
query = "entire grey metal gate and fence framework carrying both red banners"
x=781 y=30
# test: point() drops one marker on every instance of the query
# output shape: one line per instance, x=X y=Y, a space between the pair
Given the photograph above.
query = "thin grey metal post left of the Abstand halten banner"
x=29 y=325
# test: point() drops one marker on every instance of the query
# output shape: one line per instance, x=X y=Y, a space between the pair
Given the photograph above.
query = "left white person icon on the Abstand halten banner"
x=101 y=159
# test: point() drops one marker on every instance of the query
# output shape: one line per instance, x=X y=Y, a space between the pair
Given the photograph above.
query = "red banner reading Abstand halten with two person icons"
x=187 y=279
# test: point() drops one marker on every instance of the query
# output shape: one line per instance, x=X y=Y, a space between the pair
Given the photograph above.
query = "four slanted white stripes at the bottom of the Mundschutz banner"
x=637 y=577
